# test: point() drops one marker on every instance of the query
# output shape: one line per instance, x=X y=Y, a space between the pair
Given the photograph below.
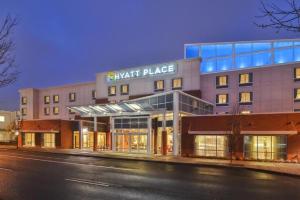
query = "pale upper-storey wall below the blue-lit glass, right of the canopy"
x=273 y=89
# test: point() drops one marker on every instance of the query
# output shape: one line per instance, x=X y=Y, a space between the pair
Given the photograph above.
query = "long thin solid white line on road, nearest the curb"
x=69 y=163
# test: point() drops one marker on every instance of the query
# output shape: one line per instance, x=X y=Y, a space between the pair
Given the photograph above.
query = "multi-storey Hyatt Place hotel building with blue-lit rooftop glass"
x=240 y=97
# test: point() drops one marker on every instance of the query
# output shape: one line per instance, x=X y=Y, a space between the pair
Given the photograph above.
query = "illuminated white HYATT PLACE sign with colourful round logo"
x=142 y=72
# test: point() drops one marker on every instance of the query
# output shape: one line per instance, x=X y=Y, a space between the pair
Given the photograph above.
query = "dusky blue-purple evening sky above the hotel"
x=68 y=41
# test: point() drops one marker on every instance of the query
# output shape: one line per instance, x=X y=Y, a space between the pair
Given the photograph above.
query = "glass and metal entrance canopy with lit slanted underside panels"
x=156 y=103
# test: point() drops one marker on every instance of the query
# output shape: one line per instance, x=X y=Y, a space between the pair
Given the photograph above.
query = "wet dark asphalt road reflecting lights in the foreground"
x=25 y=175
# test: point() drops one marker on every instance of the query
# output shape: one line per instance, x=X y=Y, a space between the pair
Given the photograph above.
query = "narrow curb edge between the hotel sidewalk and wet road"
x=203 y=164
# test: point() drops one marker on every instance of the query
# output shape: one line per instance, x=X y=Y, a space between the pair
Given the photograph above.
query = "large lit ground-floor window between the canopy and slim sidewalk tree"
x=211 y=146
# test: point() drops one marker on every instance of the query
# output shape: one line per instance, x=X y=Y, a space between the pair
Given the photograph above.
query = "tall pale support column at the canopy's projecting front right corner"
x=175 y=123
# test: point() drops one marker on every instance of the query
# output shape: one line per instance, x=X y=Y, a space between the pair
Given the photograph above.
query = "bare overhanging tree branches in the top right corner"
x=287 y=18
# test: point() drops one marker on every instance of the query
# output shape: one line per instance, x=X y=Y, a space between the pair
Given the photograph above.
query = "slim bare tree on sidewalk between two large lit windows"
x=235 y=129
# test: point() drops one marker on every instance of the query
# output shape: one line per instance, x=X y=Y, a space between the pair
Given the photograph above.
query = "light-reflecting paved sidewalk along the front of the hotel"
x=277 y=167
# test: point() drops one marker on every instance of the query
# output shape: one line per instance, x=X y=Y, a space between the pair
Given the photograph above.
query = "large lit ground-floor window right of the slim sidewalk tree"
x=265 y=147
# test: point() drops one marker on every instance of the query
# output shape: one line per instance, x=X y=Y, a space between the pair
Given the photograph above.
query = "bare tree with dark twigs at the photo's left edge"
x=8 y=71
